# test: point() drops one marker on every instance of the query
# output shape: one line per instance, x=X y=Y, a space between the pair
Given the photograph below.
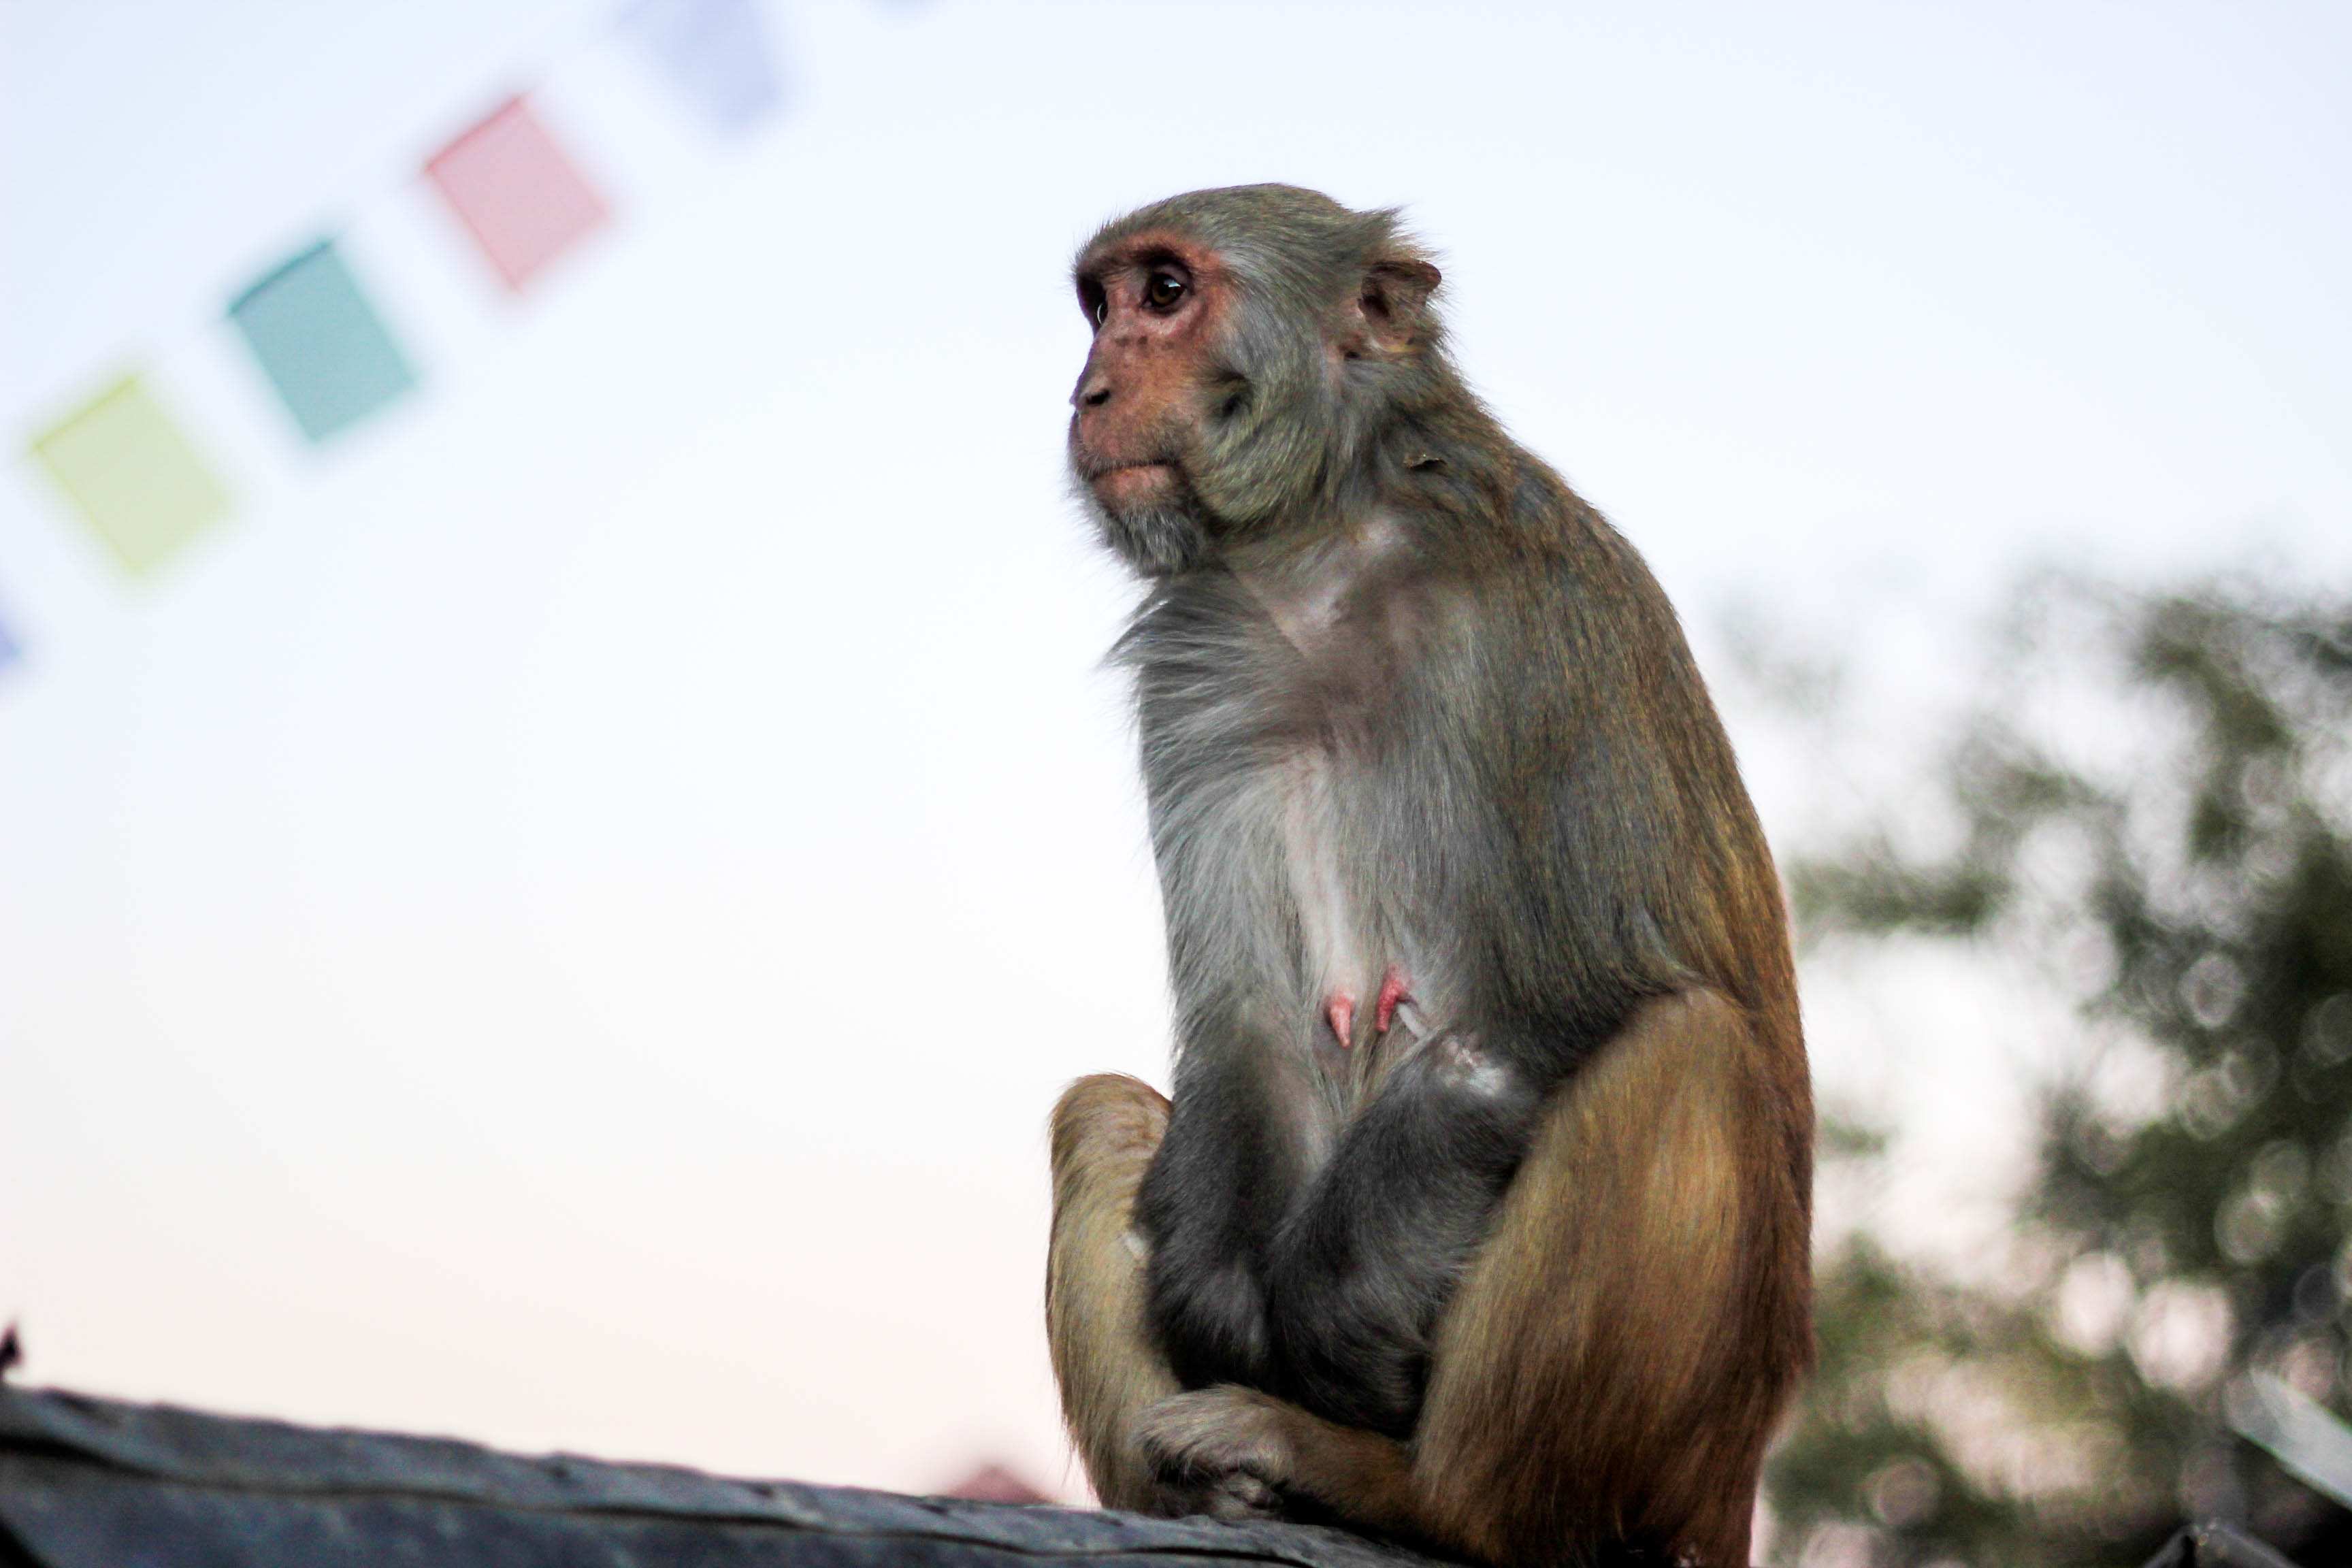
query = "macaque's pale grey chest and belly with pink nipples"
x=1292 y=840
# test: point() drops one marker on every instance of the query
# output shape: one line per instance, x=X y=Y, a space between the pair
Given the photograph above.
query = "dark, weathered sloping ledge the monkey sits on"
x=93 y=1482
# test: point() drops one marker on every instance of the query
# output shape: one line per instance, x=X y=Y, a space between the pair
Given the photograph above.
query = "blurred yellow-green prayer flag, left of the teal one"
x=133 y=474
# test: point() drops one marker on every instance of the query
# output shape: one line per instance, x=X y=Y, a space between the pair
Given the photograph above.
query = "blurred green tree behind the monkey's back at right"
x=2158 y=815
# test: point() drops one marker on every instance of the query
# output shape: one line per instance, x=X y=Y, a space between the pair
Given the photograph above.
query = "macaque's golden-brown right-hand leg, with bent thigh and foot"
x=1615 y=1358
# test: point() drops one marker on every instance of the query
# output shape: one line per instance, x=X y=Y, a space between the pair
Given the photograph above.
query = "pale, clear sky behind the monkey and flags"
x=561 y=923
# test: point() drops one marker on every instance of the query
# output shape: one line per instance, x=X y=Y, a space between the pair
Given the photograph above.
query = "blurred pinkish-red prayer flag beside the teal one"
x=516 y=192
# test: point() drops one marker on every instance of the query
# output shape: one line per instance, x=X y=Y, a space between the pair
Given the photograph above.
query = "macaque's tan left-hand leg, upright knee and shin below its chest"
x=1107 y=1132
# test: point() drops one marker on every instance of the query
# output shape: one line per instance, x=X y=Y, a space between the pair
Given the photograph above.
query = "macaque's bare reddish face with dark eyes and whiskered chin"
x=1158 y=307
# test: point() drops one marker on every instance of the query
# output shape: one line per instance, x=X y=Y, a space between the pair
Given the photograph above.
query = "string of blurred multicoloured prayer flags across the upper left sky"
x=135 y=476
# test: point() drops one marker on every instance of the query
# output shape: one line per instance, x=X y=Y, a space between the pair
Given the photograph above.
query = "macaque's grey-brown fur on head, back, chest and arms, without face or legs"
x=1405 y=704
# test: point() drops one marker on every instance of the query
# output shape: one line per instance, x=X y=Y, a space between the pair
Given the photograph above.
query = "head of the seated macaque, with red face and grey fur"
x=1250 y=351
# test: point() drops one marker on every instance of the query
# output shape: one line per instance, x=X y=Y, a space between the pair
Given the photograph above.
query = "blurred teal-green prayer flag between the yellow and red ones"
x=321 y=342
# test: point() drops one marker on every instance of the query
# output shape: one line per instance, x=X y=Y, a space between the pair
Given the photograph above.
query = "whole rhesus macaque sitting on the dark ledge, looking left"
x=1481 y=1212
